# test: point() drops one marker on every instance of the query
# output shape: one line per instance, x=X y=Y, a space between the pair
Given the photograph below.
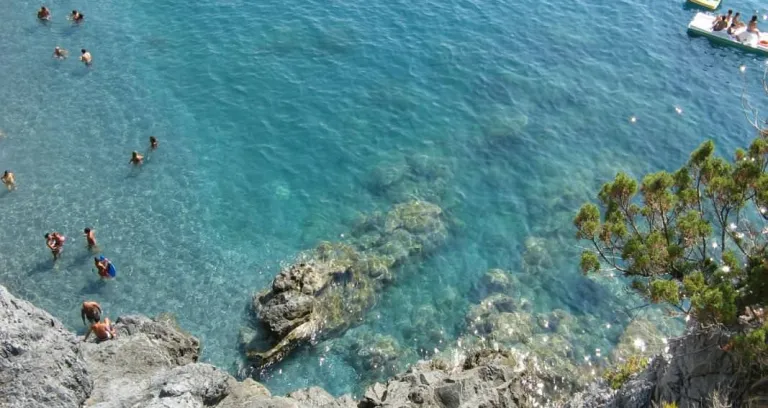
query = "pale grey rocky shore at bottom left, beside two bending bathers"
x=150 y=364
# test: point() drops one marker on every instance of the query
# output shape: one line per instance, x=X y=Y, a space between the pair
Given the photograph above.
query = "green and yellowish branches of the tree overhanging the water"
x=692 y=238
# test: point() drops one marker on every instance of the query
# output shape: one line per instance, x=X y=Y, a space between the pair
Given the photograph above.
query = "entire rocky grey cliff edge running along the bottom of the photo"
x=153 y=363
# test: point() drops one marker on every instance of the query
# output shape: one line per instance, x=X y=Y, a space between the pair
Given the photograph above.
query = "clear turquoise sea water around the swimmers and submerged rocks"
x=274 y=119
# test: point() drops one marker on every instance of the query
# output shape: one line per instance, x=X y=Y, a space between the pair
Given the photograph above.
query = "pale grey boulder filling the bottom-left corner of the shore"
x=40 y=361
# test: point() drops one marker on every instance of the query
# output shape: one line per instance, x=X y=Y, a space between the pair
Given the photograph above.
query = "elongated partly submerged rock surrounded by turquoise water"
x=330 y=288
